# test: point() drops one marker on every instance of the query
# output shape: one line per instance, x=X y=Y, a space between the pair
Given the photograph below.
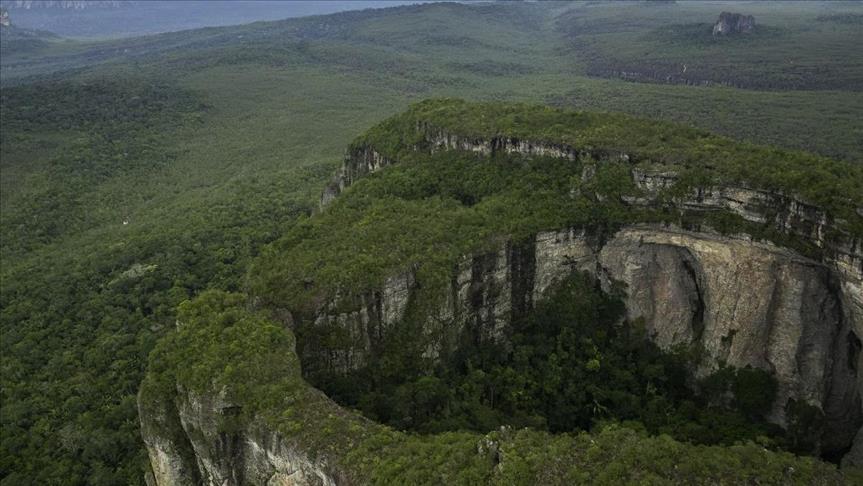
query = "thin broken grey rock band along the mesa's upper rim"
x=785 y=213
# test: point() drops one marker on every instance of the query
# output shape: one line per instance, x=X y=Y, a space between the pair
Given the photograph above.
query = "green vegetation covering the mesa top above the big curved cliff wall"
x=432 y=207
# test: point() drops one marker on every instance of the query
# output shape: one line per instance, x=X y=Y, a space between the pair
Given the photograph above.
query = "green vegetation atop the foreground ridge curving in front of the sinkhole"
x=253 y=358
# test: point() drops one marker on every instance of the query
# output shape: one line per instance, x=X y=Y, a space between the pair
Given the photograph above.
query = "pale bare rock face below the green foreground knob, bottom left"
x=191 y=440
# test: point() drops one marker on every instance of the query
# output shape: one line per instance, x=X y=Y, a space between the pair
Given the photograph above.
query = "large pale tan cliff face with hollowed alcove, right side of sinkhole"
x=747 y=304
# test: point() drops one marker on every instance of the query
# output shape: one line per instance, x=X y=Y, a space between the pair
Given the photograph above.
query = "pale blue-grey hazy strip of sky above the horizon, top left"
x=146 y=16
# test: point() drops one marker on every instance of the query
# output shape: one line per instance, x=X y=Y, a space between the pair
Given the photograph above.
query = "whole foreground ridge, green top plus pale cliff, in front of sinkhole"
x=219 y=416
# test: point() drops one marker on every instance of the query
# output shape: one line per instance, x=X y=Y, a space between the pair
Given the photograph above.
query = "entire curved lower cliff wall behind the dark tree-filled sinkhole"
x=742 y=303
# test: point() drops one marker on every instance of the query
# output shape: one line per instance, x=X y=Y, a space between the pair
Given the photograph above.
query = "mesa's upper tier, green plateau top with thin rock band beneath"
x=536 y=131
